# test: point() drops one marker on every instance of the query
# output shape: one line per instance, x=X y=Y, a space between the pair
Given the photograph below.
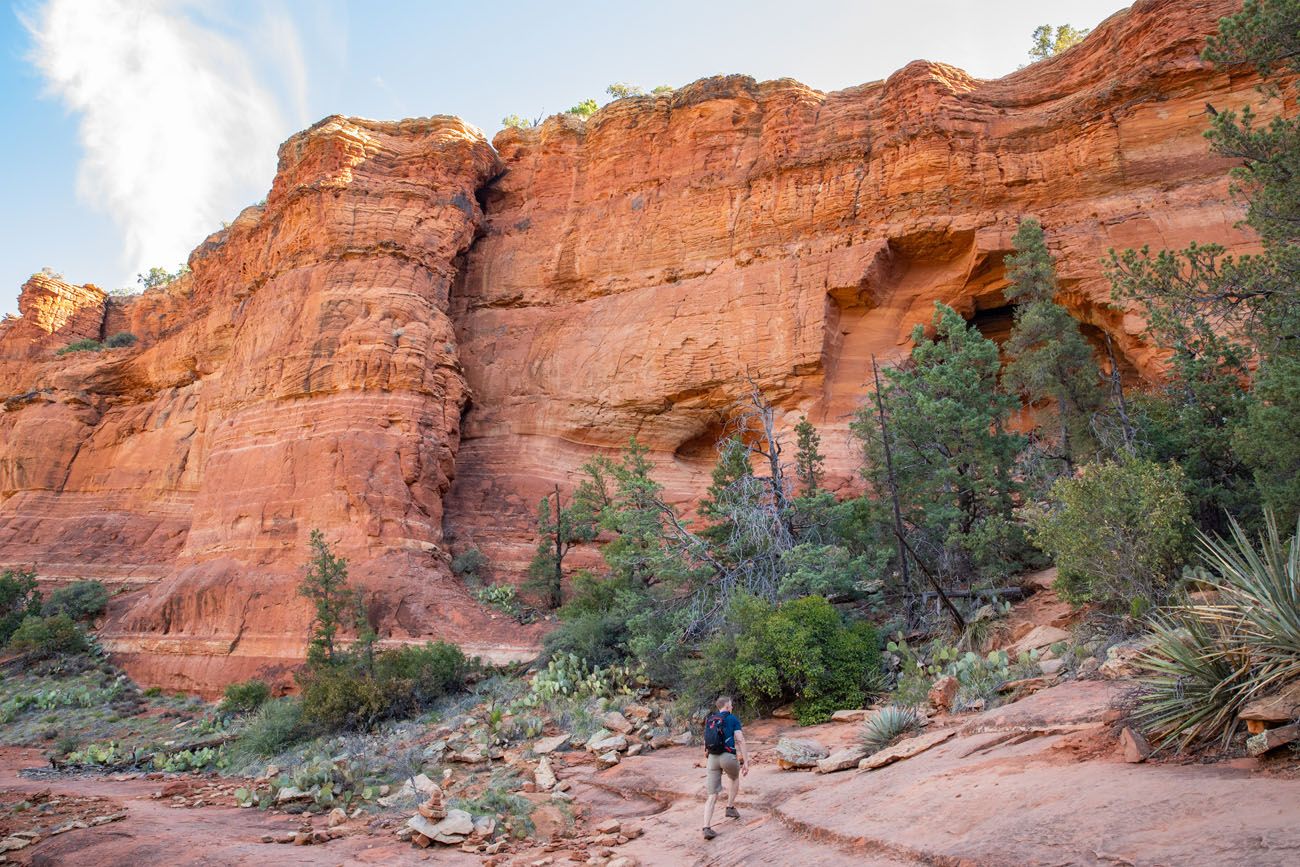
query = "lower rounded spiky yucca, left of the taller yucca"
x=1198 y=679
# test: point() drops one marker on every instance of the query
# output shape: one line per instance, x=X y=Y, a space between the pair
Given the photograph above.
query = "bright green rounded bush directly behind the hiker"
x=801 y=652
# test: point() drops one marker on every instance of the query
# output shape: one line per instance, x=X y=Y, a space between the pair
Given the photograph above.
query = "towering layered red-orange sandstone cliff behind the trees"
x=419 y=335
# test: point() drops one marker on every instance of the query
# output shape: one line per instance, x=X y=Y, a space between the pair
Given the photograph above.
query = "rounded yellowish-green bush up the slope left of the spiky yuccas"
x=1117 y=532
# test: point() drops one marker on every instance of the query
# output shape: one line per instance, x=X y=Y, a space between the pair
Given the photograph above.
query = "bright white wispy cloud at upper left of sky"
x=179 y=128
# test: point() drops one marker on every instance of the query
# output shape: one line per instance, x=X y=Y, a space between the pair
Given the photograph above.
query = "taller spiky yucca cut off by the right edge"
x=1260 y=597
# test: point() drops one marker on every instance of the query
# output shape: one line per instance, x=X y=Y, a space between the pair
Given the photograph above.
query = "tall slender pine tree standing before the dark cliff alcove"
x=1051 y=359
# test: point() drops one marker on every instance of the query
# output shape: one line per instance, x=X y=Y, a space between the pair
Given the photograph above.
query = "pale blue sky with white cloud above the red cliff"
x=138 y=125
